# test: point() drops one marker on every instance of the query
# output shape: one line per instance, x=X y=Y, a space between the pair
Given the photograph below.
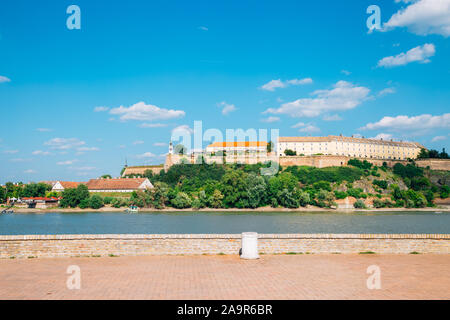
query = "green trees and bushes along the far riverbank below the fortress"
x=243 y=186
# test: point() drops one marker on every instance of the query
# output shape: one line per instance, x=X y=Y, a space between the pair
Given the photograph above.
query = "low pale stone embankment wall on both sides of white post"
x=51 y=246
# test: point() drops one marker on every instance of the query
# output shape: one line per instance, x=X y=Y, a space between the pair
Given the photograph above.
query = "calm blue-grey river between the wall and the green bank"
x=226 y=222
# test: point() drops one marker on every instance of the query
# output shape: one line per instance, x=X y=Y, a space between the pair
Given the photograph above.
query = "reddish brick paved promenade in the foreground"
x=228 y=277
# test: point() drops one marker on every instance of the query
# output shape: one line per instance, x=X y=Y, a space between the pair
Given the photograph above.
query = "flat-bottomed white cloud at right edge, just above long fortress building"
x=421 y=122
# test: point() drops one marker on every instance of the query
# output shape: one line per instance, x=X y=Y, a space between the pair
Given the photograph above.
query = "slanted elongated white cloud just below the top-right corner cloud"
x=417 y=54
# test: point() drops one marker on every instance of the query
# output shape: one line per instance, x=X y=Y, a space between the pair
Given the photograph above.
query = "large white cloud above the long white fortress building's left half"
x=343 y=96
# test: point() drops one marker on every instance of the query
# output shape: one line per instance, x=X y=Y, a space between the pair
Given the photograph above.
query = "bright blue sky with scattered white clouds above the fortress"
x=304 y=67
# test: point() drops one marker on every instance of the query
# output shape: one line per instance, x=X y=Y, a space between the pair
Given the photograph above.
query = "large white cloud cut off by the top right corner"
x=423 y=17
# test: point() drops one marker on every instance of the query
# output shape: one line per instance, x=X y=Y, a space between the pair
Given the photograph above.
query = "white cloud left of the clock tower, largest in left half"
x=146 y=112
